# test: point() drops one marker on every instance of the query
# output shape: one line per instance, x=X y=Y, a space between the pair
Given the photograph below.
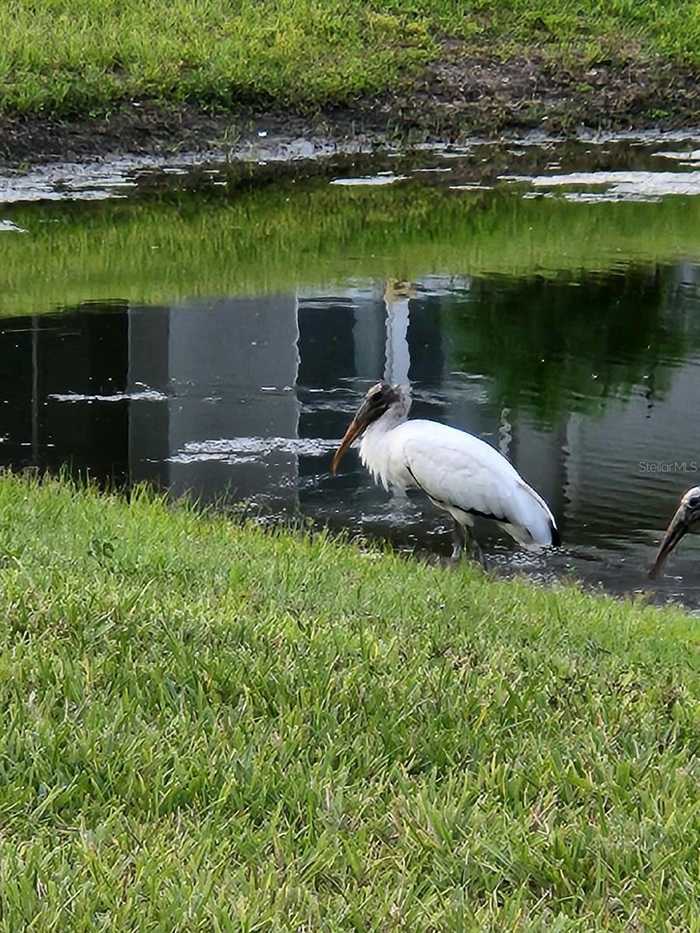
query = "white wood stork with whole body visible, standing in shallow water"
x=459 y=473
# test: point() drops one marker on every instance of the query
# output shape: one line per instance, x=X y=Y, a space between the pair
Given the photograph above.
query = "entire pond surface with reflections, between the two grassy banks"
x=211 y=329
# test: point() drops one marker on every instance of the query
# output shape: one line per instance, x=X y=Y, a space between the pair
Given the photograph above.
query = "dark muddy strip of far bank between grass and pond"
x=453 y=99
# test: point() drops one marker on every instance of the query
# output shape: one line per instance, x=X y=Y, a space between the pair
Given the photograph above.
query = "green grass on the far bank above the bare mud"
x=70 y=56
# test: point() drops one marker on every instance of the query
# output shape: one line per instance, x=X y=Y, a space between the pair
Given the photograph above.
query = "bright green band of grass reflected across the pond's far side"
x=290 y=235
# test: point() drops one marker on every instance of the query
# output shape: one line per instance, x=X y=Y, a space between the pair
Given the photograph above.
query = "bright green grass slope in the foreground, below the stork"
x=210 y=727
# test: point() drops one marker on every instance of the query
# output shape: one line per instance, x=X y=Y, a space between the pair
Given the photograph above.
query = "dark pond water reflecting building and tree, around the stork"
x=589 y=383
